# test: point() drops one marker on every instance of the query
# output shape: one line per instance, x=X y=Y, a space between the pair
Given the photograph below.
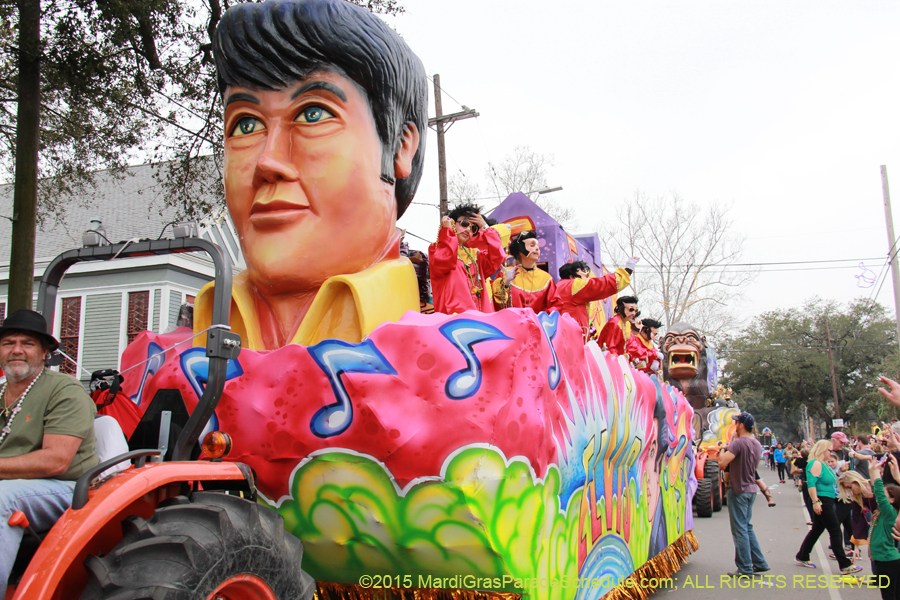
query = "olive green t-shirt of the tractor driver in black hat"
x=57 y=404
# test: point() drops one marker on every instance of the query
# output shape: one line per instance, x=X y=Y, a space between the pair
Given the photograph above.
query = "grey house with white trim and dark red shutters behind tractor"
x=101 y=307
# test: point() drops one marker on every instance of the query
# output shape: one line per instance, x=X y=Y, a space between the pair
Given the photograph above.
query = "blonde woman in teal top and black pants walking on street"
x=820 y=480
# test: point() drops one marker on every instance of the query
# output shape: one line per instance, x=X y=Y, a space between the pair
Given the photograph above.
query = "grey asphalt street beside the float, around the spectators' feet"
x=780 y=530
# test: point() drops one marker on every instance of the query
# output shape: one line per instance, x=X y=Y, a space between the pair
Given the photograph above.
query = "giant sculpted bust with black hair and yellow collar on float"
x=325 y=114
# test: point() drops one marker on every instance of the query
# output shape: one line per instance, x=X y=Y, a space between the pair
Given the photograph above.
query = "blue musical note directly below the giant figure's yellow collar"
x=336 y=357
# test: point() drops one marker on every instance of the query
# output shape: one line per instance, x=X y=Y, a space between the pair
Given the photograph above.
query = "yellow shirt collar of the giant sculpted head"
x=347 y=307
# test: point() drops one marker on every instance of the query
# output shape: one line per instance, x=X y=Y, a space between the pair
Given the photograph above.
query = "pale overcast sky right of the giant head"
x=784 y=109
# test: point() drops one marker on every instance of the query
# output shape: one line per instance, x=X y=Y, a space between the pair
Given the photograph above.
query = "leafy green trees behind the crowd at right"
x=783 y=357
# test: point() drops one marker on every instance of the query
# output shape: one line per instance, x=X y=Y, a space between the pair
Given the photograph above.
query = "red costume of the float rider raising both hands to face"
x=459 y=273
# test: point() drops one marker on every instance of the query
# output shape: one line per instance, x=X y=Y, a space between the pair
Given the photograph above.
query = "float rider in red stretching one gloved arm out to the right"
x=576 y=288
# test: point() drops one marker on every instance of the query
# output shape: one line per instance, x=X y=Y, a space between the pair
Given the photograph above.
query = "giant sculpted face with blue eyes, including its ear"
x=302 y=182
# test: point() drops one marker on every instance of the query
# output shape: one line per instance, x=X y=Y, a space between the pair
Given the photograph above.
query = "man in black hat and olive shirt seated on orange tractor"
x=47 y=440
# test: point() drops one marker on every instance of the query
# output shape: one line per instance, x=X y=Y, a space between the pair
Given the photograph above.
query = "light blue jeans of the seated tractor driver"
x=42 y=500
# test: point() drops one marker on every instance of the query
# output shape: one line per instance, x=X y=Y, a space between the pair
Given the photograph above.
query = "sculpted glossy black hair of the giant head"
x=272 y=45
